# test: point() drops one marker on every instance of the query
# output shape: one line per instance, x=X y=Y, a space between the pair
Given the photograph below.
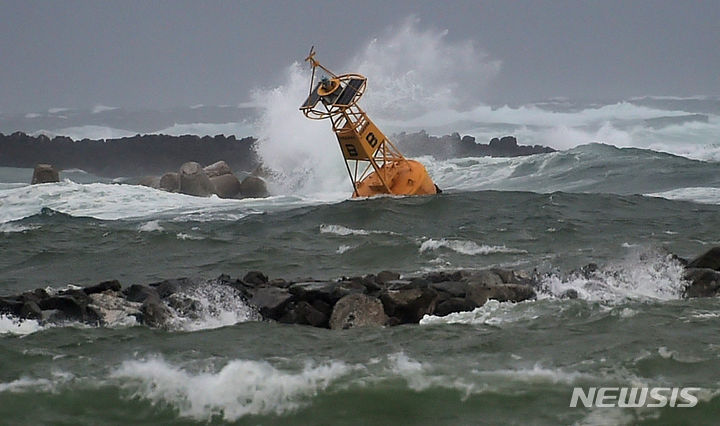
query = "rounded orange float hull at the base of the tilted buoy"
x=403 y=177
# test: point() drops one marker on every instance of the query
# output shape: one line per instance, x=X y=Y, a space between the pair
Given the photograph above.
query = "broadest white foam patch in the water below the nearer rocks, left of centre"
x=239 y=389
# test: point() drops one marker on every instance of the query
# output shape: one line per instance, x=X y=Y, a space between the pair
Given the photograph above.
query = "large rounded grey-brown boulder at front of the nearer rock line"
x=357 y=310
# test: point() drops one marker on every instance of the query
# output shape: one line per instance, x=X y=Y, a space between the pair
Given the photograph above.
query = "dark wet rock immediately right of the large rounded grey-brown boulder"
x=409 y=305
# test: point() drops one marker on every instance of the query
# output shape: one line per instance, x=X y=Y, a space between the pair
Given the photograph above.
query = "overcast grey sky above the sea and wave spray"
x=159 y=54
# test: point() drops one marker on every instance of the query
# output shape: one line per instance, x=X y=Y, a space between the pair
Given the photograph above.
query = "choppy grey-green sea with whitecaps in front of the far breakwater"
x=504 y=363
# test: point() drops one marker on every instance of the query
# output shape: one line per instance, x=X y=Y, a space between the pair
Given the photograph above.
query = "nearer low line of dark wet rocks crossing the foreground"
x=383 y=299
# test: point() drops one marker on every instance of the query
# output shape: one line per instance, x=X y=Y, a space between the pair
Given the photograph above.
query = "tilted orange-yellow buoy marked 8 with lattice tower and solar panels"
x=374 y=164
